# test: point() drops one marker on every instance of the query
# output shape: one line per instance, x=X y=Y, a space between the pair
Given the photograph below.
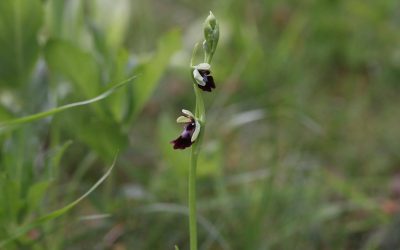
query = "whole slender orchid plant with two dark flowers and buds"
x=195 y=123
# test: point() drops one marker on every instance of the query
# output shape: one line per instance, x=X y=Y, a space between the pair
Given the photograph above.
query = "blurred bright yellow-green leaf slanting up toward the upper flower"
x=151 y=72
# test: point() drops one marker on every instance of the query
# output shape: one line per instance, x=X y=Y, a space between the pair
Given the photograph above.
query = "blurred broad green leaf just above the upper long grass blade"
x=76 y=65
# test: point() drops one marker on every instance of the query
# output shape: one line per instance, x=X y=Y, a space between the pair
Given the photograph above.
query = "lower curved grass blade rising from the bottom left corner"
x=55 y=214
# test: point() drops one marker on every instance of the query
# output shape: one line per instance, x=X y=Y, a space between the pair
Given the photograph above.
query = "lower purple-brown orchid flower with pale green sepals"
x=190 y=132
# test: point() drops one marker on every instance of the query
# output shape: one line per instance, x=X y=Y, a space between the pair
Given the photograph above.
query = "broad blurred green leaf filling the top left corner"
x=20 y=21
